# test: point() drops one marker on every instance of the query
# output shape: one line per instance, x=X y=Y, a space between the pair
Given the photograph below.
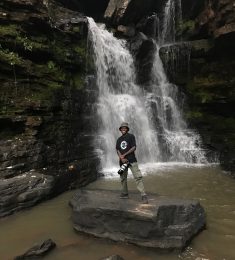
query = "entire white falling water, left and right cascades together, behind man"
x=154 y=116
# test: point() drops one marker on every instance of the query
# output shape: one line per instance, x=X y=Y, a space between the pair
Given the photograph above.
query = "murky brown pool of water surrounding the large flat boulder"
x=52 y=219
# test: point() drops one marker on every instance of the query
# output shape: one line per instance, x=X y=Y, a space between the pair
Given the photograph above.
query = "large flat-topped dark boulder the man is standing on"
x=164 y=223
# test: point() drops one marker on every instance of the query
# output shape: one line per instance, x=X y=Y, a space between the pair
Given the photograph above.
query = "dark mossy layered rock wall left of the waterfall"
x=46 y=97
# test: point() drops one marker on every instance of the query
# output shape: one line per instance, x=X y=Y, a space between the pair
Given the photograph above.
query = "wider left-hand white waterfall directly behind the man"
x=120 y=98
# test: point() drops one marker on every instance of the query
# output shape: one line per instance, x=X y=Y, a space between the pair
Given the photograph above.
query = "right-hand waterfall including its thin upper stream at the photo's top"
x=179 y=142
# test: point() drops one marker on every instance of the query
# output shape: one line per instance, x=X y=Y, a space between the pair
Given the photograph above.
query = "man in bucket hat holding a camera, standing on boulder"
x=126 y=147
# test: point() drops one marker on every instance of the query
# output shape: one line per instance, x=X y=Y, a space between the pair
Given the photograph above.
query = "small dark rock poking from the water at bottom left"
x=38 y=250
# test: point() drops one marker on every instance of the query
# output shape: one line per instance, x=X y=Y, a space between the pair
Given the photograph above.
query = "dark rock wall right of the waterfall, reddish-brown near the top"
x=210 y=83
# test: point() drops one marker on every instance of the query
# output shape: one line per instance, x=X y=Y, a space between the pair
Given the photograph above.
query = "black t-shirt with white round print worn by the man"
x=124 y=144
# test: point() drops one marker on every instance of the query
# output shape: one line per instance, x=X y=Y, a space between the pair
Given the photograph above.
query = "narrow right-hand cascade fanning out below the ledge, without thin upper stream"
x=178 y=142
